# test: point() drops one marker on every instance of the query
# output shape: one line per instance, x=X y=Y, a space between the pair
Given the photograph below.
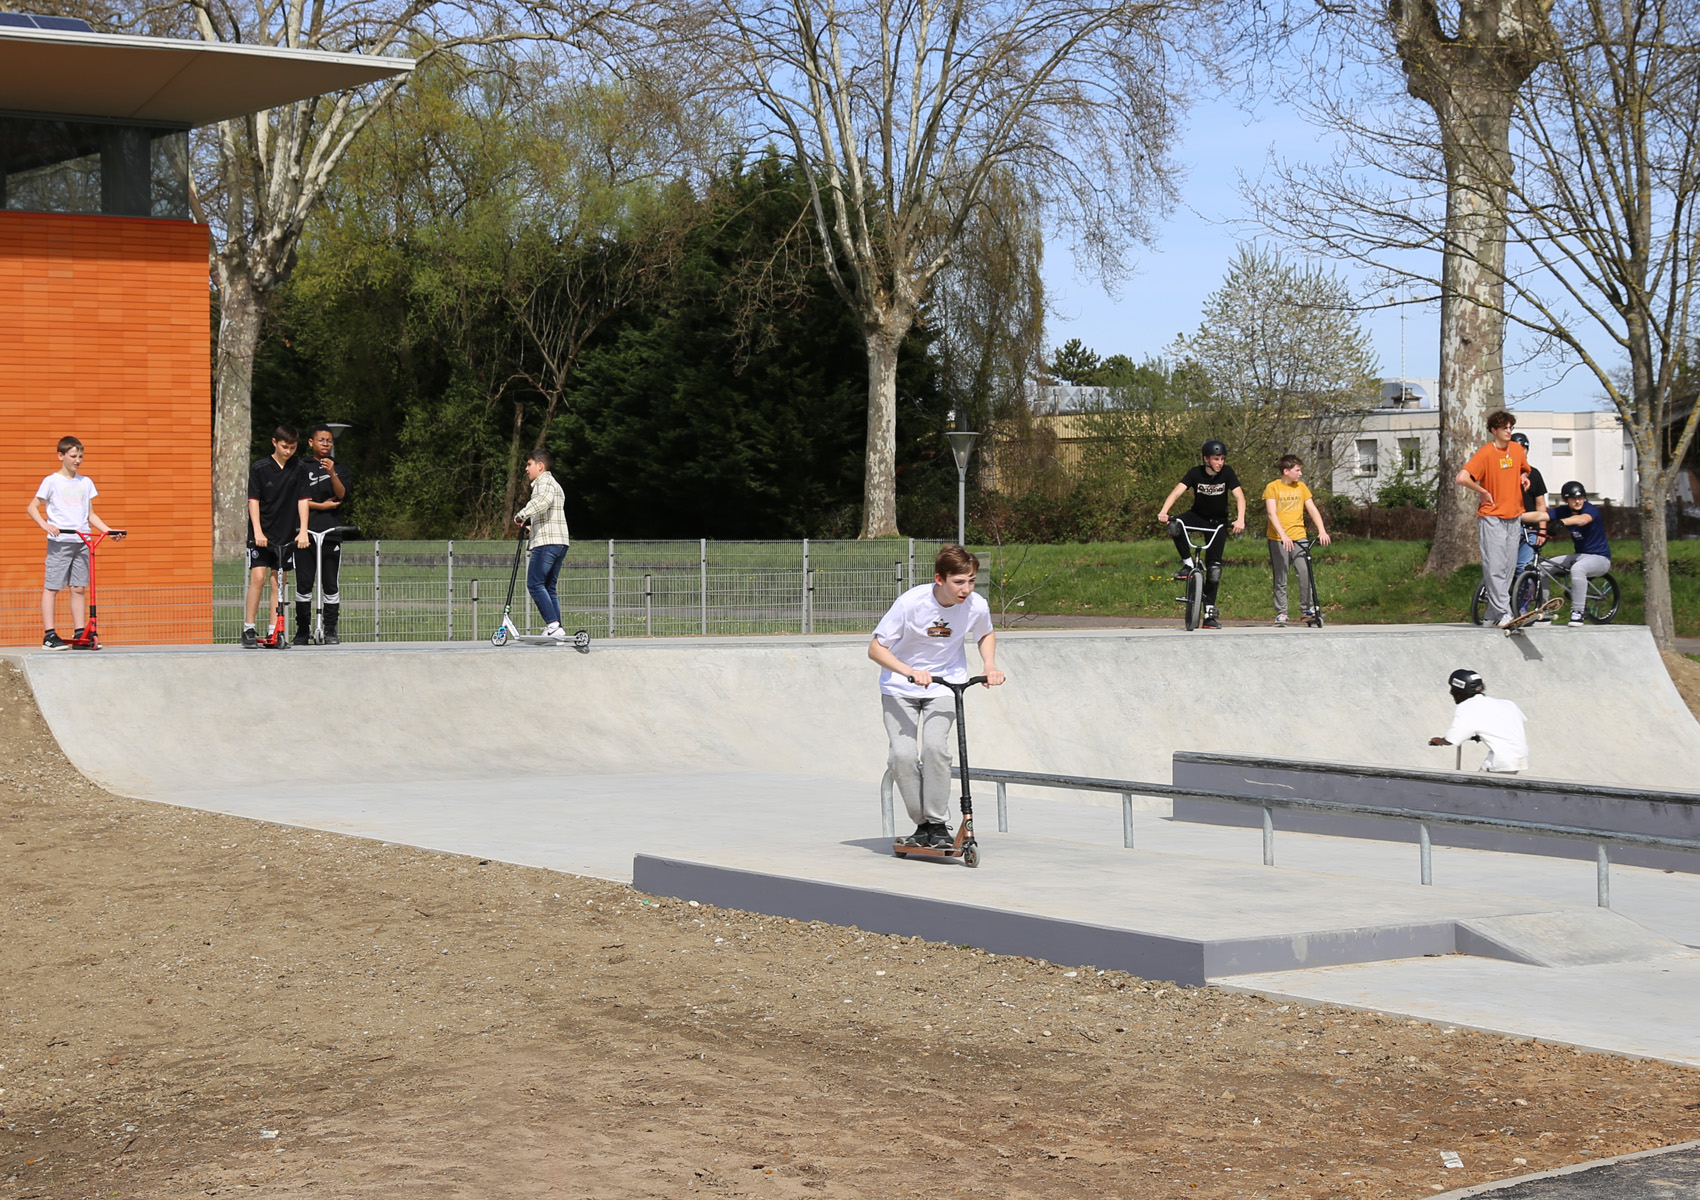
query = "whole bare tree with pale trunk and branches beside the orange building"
x=268 y=173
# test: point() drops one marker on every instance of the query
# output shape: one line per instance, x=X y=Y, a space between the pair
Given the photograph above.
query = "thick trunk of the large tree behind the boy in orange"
x=1476 y=140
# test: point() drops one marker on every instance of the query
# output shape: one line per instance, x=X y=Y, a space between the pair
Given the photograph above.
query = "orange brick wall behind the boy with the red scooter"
x=105 y=336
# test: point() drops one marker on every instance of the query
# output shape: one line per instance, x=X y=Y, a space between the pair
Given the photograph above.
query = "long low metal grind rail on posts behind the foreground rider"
x=1128 y=790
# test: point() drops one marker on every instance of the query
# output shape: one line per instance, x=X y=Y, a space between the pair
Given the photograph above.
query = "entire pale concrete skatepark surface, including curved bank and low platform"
x=745 y=776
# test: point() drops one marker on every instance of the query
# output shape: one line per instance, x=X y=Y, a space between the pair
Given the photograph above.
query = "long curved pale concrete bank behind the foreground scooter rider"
x=159 y=725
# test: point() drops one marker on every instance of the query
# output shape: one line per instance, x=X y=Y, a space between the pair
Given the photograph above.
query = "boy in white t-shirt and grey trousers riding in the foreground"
x=924 y=635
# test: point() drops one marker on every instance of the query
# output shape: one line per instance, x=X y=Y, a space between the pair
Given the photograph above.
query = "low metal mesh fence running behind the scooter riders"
x=397 y=591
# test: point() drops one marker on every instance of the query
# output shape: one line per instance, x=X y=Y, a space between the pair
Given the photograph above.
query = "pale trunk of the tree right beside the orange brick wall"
x=239 y=336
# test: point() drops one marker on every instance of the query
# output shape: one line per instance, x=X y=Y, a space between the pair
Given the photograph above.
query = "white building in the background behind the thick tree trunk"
x=1405 y=436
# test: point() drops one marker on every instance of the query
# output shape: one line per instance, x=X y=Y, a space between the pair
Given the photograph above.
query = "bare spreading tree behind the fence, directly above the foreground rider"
x=902 y=111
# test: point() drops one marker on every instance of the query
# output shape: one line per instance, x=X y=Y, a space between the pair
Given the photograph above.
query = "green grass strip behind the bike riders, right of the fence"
x=1361 y=580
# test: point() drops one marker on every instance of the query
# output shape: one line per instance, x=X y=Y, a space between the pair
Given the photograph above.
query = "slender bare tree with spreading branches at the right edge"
x=1595 y=191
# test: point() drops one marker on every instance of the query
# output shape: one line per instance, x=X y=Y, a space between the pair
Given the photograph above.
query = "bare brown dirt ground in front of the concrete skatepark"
x=203 y=1005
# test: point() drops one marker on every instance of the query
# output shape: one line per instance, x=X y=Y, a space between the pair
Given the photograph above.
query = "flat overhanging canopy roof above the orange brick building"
x=161 y=81
